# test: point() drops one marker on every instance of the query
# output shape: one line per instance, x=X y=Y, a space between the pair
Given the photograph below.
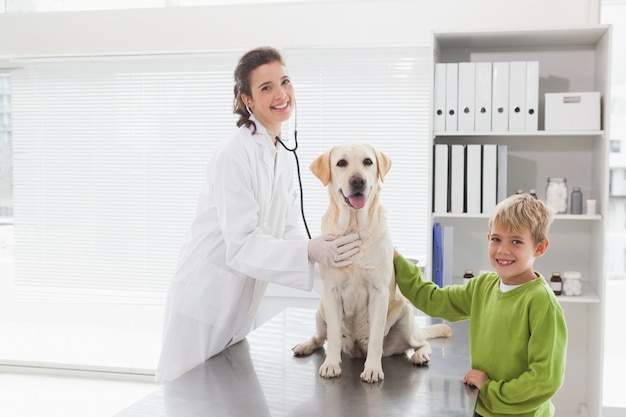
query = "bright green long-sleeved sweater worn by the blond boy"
x=518 y=338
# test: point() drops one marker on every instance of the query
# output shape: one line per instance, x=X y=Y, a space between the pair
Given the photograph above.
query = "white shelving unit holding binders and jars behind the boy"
x=570 y=60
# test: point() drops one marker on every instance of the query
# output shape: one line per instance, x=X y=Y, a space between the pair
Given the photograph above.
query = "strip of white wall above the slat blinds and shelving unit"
x=301 y=24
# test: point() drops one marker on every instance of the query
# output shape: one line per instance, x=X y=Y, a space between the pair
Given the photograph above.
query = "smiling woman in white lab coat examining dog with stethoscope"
x=246 y=230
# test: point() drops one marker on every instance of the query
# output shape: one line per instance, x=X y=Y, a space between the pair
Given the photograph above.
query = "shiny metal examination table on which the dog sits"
x=260 y=377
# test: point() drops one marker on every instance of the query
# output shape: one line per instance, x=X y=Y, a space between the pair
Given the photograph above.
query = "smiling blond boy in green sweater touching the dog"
x=518 y=336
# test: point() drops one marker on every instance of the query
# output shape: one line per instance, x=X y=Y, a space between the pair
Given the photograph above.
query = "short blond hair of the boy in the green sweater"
x=523 y=213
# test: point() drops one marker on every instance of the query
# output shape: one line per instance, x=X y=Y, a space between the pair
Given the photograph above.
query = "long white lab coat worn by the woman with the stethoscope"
x=245 y=234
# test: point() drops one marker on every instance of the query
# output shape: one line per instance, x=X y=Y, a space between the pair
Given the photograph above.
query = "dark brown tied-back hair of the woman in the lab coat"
x=250 y=61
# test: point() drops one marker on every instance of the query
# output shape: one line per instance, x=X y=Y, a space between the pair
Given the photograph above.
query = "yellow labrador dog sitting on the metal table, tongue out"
x=361 y=312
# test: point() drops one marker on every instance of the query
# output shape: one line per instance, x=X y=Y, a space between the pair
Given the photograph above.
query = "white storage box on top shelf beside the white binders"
x=572 y=111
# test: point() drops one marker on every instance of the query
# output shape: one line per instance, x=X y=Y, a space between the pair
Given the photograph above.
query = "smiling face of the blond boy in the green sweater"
x=512 y=254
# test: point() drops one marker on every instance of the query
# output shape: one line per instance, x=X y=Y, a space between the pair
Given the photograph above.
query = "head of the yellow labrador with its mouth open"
x=352 y=172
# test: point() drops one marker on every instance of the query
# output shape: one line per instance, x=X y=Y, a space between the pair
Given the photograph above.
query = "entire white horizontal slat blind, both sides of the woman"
x=109 y=156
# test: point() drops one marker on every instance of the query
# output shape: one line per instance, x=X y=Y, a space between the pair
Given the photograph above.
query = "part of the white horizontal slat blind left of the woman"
x=109 y=157
